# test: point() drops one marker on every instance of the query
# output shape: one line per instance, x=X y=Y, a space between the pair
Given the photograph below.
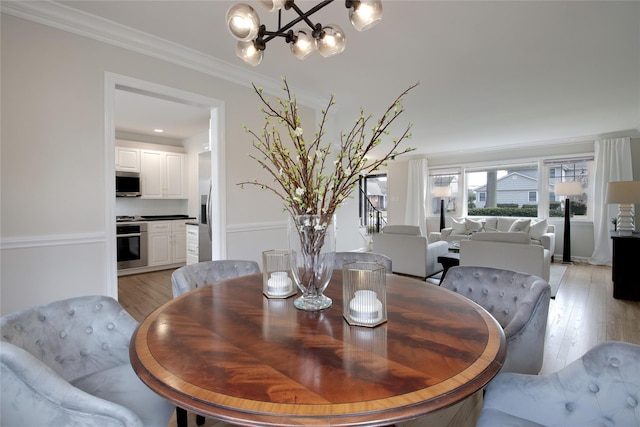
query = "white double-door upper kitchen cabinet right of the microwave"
x=163 y=175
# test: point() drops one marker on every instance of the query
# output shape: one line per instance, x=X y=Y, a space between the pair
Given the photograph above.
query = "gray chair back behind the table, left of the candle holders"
x=191 y=276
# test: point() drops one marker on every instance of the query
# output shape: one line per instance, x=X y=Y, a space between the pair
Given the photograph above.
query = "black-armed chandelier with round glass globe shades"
x=244 y=24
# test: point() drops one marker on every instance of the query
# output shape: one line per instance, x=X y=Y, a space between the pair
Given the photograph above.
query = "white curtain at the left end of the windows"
x=416 y=212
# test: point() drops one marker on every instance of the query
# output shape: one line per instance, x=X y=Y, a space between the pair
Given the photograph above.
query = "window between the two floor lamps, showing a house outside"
x=503 y=191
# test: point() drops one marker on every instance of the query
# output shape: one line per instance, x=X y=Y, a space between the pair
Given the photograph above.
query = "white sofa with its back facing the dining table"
x=510 y=251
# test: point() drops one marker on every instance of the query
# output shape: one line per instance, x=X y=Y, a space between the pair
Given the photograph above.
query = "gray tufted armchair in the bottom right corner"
x=602 y=388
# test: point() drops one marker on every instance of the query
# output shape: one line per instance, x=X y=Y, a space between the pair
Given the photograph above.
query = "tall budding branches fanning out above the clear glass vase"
x=308 y=180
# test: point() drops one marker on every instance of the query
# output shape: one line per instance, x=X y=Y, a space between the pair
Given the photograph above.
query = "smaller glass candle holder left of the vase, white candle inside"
x=276 y=273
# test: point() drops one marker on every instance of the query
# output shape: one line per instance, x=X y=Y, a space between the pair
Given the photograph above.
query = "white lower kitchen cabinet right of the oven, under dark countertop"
x=167 y=242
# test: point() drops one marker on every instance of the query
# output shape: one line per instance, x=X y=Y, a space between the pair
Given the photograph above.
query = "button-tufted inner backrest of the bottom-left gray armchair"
x=74 y=337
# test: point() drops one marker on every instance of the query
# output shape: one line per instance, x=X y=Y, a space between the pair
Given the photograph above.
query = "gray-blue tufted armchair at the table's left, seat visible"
x=67 y=364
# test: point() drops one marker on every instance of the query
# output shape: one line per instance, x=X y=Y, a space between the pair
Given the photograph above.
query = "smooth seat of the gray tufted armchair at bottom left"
x=121 y=385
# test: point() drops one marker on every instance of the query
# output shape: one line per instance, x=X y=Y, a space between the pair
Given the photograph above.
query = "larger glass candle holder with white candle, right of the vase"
x=364 y=293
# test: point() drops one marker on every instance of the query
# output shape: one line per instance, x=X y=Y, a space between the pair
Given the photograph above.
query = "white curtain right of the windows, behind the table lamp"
x=613 y=163
